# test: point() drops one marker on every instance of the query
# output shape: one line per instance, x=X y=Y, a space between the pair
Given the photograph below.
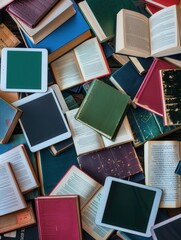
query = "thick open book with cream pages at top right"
x=156 y=36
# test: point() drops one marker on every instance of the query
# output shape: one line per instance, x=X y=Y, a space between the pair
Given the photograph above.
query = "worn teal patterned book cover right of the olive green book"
x=146 y=125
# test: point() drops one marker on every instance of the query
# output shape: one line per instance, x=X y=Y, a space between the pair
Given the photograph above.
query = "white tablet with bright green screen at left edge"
x=24 y=70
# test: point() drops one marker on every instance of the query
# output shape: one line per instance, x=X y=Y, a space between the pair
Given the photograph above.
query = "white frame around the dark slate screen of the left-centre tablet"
x=53 y=140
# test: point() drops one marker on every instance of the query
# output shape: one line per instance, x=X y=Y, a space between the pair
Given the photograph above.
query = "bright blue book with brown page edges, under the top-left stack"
x=63 y=36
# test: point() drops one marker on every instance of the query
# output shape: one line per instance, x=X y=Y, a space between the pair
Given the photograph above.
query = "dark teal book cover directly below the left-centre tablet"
x=52 y=168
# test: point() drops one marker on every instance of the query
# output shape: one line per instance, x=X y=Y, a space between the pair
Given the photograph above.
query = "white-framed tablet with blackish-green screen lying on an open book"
x=128 y=206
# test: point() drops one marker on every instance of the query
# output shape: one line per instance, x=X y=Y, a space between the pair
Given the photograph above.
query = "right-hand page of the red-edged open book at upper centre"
x=91 y=60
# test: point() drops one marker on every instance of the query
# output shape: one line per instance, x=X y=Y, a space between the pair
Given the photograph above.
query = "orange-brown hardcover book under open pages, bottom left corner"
x=16 y=220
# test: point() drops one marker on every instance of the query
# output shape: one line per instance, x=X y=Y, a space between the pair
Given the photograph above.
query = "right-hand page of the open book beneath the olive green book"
x=124 y=135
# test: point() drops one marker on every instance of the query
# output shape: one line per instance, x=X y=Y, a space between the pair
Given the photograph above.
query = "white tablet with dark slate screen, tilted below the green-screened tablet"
x=42 y=120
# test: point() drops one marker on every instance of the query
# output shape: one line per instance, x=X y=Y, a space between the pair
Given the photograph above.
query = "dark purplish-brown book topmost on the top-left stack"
x=31 y=11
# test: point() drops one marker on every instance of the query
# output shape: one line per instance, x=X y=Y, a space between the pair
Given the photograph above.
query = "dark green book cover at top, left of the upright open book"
x=105 y=13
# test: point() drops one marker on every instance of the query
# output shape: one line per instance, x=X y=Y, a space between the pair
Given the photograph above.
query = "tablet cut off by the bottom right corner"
x=169 y=229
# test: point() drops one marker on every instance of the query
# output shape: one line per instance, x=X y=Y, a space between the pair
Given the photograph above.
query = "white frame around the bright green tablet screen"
x=44 y=69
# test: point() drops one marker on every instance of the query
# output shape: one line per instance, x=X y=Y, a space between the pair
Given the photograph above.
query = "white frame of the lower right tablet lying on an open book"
x=104 y=198
